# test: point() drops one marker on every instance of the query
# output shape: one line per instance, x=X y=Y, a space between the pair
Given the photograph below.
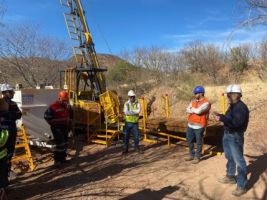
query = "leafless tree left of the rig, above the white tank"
x=37 y=59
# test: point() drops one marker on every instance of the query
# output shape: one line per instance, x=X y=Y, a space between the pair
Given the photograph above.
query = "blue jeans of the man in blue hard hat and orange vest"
x=192 y=134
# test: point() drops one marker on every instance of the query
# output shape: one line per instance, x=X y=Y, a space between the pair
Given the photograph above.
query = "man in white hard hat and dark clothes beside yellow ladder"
x=14 y=114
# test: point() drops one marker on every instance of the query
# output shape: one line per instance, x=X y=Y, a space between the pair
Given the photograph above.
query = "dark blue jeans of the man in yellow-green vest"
x=128 y=128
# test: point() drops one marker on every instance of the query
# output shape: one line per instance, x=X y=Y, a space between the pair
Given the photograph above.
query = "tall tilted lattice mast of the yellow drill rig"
x=87 y=65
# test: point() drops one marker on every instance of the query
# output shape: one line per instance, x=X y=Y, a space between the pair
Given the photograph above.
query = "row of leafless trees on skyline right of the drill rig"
x=165 y=65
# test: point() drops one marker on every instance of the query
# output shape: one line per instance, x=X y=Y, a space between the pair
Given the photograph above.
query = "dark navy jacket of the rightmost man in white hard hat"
x=236 y=118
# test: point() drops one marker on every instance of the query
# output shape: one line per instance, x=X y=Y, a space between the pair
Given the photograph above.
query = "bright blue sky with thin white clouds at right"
x=127 y=24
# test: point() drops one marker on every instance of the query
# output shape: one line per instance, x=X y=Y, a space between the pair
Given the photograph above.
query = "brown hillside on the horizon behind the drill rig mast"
x=43 y=70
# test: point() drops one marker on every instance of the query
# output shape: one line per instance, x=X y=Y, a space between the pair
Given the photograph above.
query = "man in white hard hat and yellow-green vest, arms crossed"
x=131 y=111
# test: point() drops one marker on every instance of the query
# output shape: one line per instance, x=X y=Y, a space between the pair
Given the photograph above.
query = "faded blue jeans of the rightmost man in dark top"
x=233 y=145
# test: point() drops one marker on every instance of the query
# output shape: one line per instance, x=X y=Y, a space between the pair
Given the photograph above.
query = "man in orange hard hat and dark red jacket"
x=58 y=115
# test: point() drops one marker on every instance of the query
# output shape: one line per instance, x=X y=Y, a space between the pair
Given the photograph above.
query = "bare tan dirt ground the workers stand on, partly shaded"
x=98 y=172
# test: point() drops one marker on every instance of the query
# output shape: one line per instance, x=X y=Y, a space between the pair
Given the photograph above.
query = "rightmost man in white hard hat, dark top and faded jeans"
x=235 y=124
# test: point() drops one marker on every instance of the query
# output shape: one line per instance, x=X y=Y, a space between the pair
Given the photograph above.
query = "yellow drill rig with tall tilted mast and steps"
x=96 y=109
